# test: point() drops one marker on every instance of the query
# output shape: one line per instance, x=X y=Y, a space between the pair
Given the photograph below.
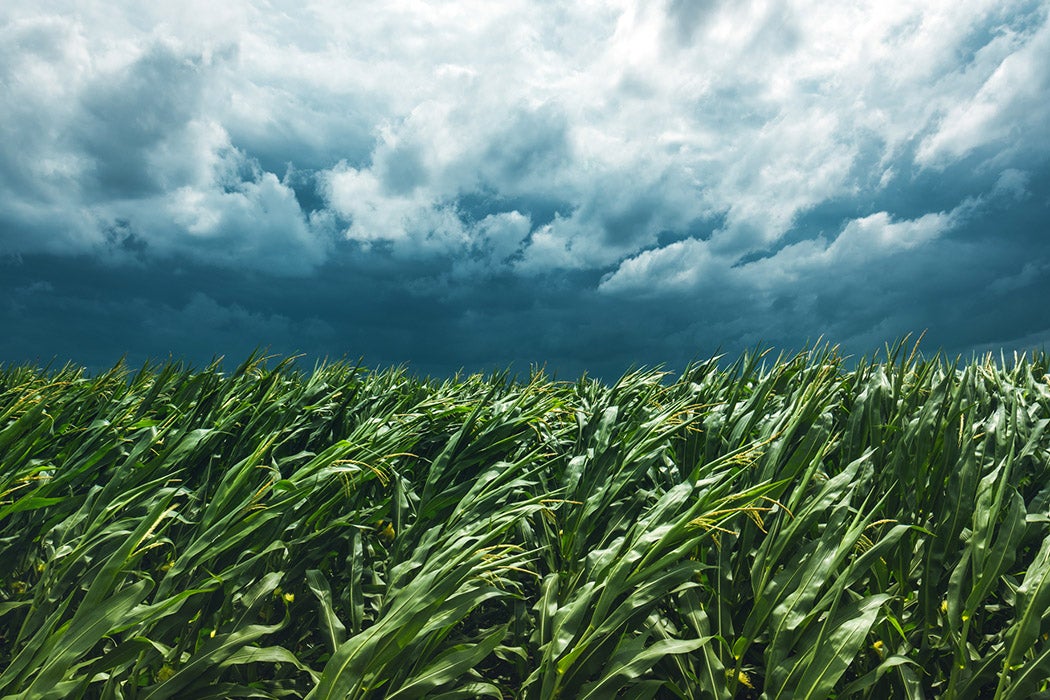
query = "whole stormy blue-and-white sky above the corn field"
x=583 y=184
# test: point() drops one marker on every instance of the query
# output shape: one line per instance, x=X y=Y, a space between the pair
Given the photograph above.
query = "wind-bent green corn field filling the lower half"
x=809 y=526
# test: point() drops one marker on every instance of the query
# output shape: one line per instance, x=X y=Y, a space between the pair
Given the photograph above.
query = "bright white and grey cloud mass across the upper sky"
x=640 y=118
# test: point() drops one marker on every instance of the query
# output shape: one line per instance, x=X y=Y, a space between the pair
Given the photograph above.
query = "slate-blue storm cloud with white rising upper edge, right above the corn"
x=962 y=275
